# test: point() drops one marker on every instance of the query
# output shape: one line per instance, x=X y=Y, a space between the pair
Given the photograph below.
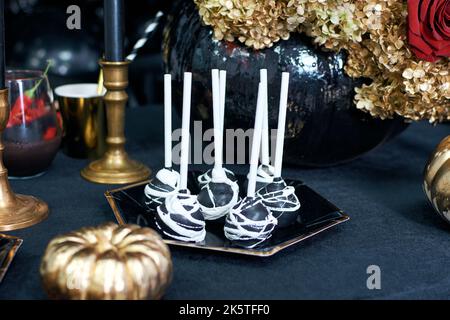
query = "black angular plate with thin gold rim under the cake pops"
x=317 y=214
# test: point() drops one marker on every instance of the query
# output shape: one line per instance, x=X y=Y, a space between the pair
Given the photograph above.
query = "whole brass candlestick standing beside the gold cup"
x=115 y=167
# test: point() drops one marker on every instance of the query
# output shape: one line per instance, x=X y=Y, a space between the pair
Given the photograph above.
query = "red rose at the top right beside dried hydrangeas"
x=429 y=28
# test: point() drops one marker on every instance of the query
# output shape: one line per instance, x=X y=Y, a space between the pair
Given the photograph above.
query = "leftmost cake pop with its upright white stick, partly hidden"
x=166 y=180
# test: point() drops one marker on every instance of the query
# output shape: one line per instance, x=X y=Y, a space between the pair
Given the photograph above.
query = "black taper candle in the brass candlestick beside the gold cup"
x=113 y=11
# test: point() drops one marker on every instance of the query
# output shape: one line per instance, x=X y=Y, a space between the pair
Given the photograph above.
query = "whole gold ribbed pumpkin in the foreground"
x=108 y=262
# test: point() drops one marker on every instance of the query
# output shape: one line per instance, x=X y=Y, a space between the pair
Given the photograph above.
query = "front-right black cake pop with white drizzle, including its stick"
x=250 y=223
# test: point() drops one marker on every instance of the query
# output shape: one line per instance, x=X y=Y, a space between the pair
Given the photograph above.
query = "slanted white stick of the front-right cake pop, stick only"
x=256 y=144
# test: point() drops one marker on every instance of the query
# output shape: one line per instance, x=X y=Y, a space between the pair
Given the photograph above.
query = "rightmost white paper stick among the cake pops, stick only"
x=281 y=123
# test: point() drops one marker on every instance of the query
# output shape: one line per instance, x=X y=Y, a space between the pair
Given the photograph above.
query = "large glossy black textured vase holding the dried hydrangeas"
x=323 y=125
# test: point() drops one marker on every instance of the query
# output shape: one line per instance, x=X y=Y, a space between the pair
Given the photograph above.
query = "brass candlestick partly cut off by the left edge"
x=16 y=211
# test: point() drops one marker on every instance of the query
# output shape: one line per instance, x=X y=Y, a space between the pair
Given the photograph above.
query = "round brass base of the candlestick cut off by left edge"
x=25 y=211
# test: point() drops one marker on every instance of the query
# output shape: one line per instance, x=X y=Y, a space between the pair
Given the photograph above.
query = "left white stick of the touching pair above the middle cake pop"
x=217 y=117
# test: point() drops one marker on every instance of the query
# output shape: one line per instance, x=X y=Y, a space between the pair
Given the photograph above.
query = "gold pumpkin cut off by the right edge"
x=437 y=179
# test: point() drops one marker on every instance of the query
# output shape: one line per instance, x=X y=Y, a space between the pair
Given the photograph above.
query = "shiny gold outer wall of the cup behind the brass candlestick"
x=84 y=126
